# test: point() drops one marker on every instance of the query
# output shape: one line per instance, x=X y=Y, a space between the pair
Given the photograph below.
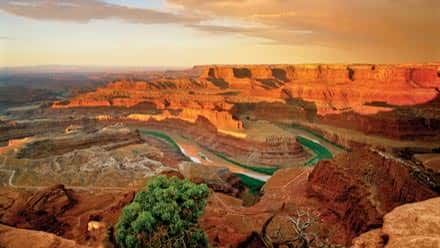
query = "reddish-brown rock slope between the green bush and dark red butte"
x=229 y=224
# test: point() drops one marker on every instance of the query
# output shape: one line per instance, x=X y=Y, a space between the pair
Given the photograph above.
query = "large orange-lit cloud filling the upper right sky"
x=393 y=26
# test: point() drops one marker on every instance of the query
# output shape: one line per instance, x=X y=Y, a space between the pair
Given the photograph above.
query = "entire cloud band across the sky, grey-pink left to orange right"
x=398 y=28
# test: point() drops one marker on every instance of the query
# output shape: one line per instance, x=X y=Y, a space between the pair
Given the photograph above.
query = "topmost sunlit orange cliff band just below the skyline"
x=424 y=75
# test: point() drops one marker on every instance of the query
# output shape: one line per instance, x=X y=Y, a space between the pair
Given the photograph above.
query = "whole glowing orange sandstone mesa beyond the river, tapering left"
x=388 y=100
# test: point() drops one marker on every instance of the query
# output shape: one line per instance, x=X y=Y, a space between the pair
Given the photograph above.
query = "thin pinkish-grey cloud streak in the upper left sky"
x=83 y=11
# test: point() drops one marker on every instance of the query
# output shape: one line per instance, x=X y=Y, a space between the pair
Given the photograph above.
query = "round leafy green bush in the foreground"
x=164 y=215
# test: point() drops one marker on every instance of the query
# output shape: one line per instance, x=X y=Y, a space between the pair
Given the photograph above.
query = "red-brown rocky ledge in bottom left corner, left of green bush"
x=77 y=217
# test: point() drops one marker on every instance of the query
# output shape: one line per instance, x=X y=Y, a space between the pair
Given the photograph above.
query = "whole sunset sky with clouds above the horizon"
x=192 y=32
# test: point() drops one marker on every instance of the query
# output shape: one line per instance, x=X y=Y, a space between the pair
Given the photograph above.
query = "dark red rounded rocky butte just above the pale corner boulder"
x=362 y=186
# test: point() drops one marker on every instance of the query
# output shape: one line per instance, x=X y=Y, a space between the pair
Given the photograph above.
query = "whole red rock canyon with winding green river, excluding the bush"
x=356 y=146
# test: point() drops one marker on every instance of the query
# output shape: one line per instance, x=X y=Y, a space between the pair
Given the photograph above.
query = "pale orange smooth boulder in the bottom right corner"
x=410 y=225
